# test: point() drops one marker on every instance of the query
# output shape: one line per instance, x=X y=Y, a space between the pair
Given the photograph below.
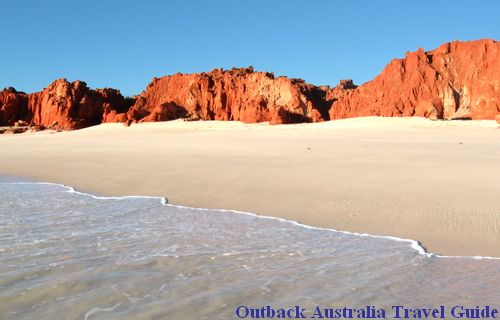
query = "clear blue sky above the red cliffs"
x=123 y=44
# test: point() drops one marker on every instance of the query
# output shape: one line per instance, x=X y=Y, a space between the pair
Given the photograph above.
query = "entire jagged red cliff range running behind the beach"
x=456 y=80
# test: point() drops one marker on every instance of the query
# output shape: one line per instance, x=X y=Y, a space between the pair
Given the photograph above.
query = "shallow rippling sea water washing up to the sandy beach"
x=68 y=255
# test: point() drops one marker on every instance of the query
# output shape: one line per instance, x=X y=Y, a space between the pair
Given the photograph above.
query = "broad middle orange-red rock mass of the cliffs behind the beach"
x=237 y=94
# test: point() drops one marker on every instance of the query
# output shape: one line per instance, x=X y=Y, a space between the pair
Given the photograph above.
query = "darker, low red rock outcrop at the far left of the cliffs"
x=63 y=105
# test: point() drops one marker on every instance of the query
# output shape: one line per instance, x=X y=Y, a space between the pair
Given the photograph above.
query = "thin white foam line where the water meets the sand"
x=414 y=244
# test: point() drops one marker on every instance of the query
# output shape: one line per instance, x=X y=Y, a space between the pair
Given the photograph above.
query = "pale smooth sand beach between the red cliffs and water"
x=434 y=181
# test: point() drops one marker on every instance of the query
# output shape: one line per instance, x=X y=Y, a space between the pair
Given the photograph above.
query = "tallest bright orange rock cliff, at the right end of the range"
x=456 y=80
